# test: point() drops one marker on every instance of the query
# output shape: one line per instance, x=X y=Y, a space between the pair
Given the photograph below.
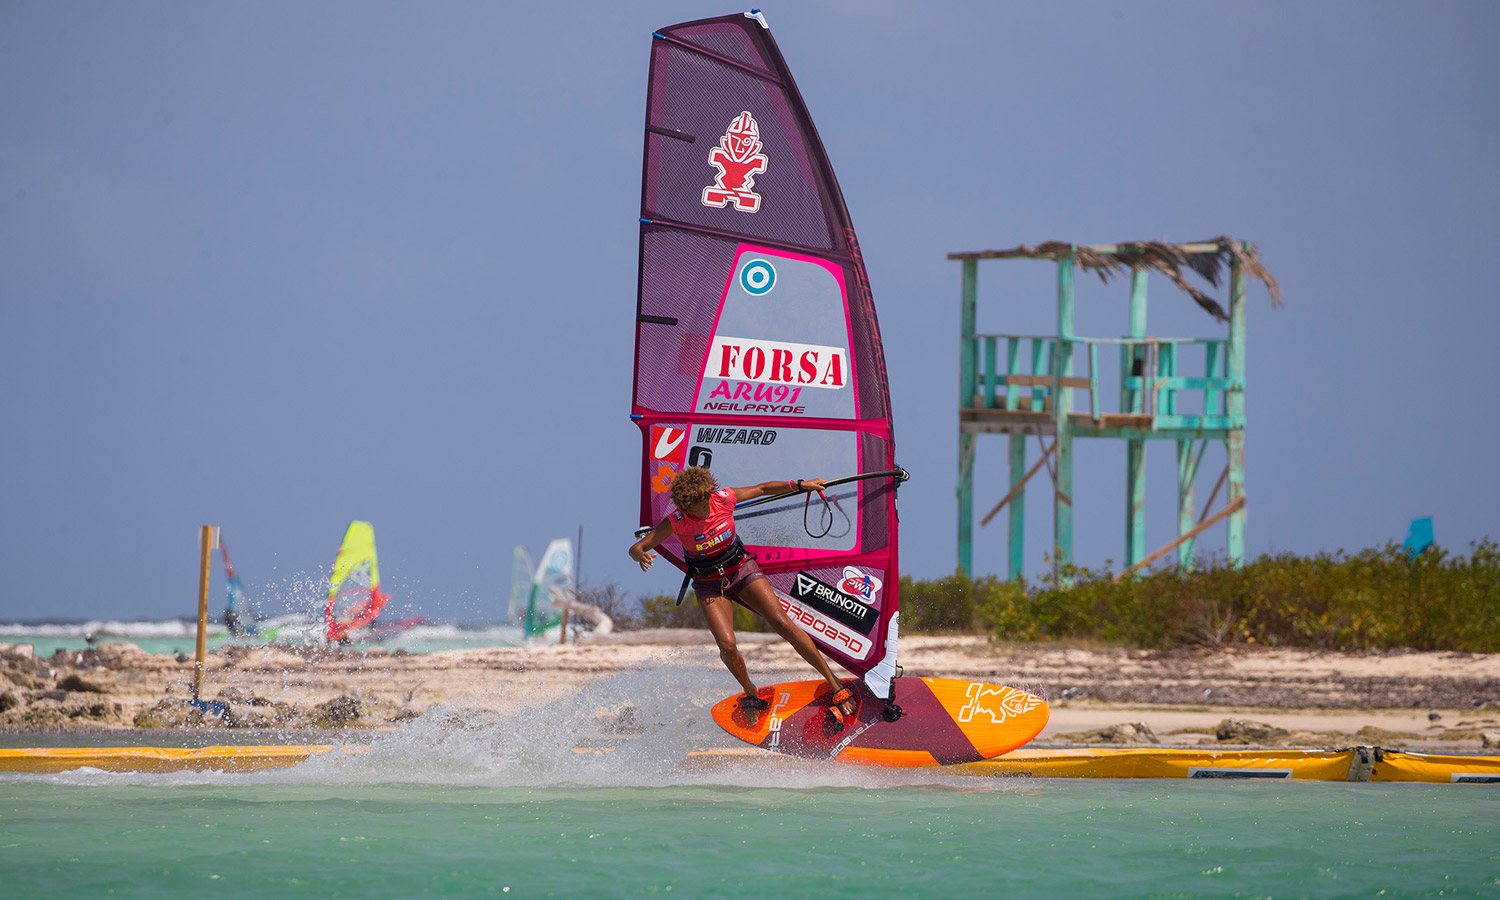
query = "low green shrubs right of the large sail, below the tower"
x=1373 y=599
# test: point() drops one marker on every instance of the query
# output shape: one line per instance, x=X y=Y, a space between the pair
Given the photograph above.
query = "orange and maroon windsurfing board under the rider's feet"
x=944 y=722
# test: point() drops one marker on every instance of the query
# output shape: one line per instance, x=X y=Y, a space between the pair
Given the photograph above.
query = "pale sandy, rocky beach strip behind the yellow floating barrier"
x=1280 y=698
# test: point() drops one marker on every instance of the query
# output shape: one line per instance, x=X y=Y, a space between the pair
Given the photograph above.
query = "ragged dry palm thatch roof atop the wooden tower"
x=1208 y=259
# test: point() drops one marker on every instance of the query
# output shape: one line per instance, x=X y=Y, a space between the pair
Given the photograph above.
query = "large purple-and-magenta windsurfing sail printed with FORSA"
x=758 y=352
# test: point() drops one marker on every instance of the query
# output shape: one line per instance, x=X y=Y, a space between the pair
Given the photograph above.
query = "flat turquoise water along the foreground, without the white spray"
x=1036 y=839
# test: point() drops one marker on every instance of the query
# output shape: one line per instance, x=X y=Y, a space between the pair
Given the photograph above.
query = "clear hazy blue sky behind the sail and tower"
x=281 y=266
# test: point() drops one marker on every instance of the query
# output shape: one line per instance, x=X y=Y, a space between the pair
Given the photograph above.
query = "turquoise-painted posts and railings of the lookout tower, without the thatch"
x=1154 y=385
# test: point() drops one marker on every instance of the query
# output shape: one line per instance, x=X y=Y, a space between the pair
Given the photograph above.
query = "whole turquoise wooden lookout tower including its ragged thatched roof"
x=1030 y=385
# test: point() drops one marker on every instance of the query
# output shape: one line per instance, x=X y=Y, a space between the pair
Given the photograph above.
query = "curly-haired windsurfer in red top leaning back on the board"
x=724 y=572
